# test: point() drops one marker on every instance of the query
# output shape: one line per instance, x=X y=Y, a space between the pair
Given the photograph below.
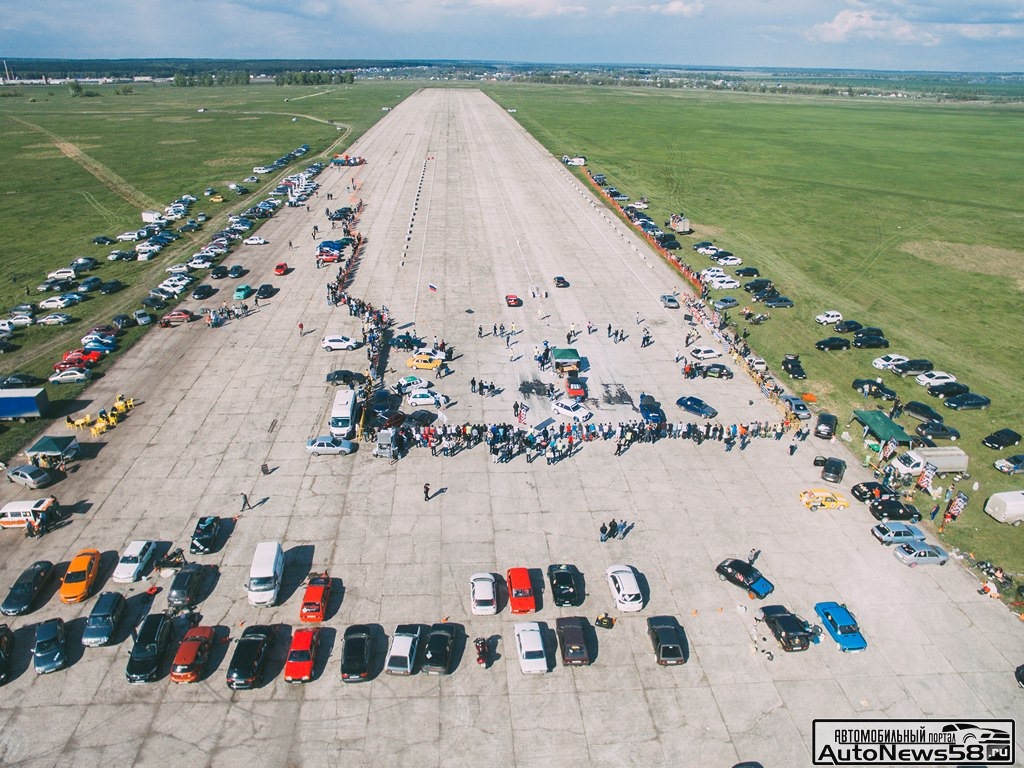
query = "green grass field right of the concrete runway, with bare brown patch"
x=908 y=217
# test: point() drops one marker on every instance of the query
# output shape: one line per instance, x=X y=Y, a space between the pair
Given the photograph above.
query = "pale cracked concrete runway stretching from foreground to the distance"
x=458 y=197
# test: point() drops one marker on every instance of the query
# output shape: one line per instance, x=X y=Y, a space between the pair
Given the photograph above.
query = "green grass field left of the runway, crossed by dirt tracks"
x=75 y=168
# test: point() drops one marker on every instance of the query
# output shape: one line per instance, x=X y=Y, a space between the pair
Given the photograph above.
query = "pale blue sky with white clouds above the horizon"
x=935 y=35
